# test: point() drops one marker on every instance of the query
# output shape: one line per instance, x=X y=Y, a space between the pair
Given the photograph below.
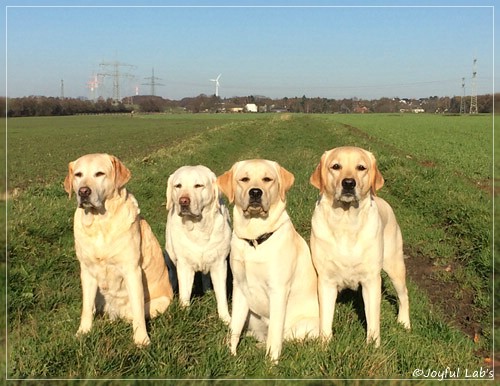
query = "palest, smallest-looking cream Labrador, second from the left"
x=198 y=234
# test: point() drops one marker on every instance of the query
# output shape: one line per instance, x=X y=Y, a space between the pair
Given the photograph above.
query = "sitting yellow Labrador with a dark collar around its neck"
x=275 y=286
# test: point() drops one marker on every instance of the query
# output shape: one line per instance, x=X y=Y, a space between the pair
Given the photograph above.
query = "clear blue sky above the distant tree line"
x=345 y=51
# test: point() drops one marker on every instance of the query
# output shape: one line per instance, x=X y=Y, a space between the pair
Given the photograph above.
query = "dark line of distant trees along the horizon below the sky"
x=50 y=106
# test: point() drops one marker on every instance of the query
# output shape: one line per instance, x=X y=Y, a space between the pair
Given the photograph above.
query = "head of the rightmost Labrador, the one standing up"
x=347 y=174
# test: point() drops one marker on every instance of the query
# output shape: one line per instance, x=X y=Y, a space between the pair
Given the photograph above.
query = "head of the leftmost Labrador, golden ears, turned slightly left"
x=94 y=178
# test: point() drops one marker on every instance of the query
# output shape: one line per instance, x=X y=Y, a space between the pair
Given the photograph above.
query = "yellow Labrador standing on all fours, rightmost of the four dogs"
x=354 y=235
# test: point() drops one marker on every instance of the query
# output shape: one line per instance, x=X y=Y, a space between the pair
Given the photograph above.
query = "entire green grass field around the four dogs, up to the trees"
x=438 y=173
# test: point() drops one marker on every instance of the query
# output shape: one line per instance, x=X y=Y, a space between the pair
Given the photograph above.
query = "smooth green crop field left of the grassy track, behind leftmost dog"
x=49 y=143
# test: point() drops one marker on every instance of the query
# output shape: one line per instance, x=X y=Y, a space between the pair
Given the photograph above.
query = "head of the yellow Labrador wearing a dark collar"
x=256 y=185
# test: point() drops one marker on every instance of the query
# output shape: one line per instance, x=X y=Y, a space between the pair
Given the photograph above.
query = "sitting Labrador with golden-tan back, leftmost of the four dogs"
x=123 y=271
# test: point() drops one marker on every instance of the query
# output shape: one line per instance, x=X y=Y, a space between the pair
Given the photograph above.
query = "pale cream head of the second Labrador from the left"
x=191 y=189
